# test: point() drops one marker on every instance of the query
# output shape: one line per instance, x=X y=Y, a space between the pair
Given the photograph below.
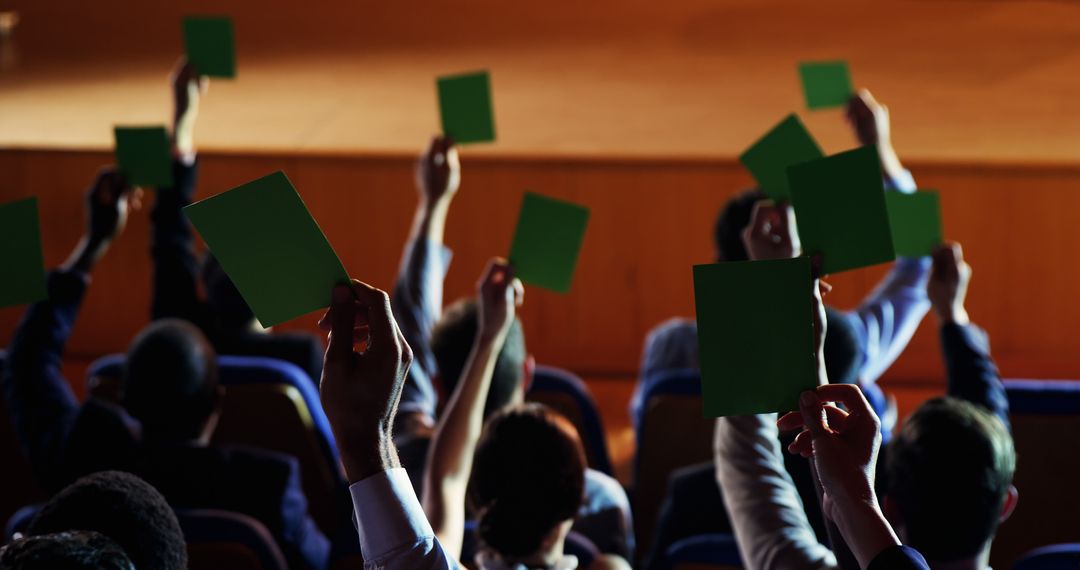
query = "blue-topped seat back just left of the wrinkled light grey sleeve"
x=672 y=433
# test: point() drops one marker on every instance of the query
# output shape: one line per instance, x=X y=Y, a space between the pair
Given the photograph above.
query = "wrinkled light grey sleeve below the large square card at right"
x=769 y=522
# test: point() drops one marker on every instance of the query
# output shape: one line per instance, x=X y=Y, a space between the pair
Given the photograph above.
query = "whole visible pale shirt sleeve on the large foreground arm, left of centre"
x=395 y=533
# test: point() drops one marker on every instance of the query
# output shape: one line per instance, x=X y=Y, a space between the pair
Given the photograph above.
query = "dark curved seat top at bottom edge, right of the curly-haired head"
x=221 y=539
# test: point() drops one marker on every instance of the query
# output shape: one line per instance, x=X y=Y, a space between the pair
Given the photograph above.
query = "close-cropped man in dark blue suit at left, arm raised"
x=170 y=387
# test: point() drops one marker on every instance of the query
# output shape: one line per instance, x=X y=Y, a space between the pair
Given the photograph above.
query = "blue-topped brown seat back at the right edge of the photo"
x=1046 y=423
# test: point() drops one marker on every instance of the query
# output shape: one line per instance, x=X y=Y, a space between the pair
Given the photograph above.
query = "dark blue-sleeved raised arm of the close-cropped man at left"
x=39 y=400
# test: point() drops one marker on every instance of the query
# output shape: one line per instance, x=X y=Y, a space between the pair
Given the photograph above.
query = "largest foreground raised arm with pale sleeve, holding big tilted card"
x=360 y=392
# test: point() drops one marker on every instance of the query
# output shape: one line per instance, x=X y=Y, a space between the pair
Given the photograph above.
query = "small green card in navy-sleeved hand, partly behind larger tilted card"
x=916 y=223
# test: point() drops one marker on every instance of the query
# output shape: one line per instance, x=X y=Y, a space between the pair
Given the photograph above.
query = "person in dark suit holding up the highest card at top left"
x=224 y=317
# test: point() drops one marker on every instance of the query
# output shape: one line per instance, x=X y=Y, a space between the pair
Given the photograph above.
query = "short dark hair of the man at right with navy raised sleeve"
x=950 y=470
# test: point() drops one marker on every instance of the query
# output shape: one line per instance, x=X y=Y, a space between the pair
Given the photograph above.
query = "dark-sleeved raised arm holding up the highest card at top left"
x=172 y=251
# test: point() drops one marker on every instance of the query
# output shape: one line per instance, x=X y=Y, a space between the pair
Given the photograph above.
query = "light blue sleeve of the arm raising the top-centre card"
x=417 y=305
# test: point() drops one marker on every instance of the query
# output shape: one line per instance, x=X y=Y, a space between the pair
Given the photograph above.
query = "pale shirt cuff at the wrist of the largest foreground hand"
x=388 y=513
